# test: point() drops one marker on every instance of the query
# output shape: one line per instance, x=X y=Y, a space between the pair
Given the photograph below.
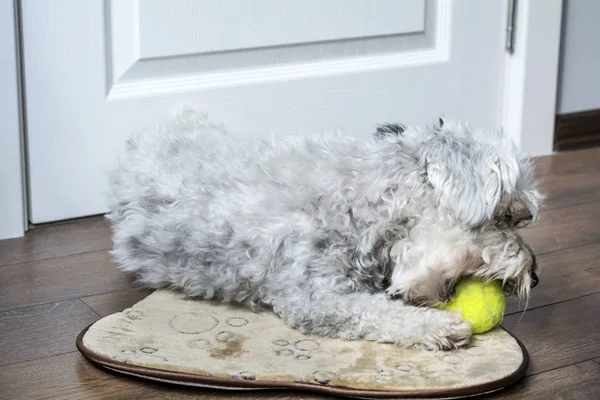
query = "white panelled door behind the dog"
x=97 y=70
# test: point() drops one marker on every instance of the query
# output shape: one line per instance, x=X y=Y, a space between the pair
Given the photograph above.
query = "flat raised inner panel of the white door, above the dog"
x=192 y=27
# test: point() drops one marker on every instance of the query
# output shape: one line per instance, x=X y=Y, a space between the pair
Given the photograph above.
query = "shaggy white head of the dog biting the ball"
x=477 y=190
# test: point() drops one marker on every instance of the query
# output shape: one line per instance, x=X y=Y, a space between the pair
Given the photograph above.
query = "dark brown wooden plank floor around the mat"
x=58 y=279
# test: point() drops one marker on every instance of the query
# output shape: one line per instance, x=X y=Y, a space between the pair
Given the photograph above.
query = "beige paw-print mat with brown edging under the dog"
x=169 y=338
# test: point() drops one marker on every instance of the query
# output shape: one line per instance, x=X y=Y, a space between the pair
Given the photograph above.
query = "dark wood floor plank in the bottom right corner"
x=574 y=382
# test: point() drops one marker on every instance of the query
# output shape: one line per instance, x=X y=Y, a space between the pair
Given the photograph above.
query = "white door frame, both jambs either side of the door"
x=528 y=115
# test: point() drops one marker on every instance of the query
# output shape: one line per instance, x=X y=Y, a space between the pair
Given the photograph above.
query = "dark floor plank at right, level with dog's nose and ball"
x=564 y=275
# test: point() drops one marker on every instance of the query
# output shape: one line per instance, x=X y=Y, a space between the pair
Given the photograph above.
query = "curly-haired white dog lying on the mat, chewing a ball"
x=354 y=238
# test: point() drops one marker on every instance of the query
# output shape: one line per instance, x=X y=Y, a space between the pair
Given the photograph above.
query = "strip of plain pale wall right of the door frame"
x=579 y=79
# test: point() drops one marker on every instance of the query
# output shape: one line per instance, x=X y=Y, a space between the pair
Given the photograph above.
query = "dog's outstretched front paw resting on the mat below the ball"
x=449 y=332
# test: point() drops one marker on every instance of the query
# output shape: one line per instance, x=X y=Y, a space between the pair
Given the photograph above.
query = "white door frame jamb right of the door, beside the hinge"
x=531 y=76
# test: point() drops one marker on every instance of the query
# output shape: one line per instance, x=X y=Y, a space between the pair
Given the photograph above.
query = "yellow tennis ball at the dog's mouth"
x=481 y=303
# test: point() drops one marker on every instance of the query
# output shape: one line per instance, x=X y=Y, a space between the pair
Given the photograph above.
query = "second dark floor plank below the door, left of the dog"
x=44 y=281
